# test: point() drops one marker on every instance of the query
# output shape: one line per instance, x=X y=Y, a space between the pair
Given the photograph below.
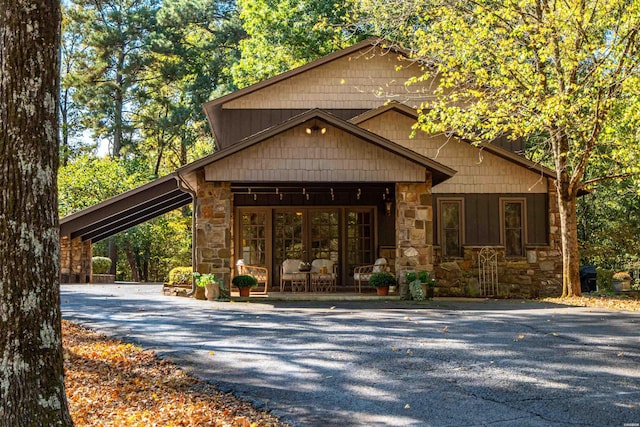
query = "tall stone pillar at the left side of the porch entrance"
x=214 y=225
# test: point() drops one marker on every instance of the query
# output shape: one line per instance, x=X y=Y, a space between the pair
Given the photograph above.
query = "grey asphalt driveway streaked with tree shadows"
x=444 y=363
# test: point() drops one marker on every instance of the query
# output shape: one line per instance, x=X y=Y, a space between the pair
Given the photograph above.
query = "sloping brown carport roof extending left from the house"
x=126 y=210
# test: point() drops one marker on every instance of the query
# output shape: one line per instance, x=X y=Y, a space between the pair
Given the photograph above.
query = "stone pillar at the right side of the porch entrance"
x=414 y=227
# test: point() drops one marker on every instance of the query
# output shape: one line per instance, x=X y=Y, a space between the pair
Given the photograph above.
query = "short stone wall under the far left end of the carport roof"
x=75 y=260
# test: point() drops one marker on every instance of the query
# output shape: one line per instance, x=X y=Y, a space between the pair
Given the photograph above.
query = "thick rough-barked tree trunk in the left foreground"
x=31 y=366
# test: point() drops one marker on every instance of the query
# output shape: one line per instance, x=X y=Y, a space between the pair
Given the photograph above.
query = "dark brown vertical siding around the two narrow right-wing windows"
x=482 y=218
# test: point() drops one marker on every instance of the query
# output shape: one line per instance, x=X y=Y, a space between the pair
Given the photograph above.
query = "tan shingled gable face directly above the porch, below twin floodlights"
x=294 y=156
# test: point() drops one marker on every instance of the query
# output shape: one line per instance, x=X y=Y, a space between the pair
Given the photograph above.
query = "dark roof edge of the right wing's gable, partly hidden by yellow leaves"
x=498 y=151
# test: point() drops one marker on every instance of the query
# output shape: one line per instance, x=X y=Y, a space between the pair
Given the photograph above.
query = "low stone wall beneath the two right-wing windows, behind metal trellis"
x=538 y=274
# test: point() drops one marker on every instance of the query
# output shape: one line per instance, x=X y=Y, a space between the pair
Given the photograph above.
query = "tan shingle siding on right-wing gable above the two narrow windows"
x=479 y=171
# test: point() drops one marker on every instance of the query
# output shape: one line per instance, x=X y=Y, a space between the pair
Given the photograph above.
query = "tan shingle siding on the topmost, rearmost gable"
x=364 y=80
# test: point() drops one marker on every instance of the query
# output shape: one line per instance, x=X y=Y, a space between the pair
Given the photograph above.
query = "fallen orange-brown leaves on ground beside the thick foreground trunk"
x=111 y=383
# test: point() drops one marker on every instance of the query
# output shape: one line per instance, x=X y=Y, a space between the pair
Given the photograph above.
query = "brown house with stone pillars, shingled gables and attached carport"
x=319 y=162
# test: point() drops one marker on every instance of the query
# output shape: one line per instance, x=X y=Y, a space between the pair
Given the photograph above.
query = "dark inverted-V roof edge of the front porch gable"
x=438 y=171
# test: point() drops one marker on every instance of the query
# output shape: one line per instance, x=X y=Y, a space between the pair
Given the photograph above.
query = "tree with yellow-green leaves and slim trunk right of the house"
x=563 y=76
